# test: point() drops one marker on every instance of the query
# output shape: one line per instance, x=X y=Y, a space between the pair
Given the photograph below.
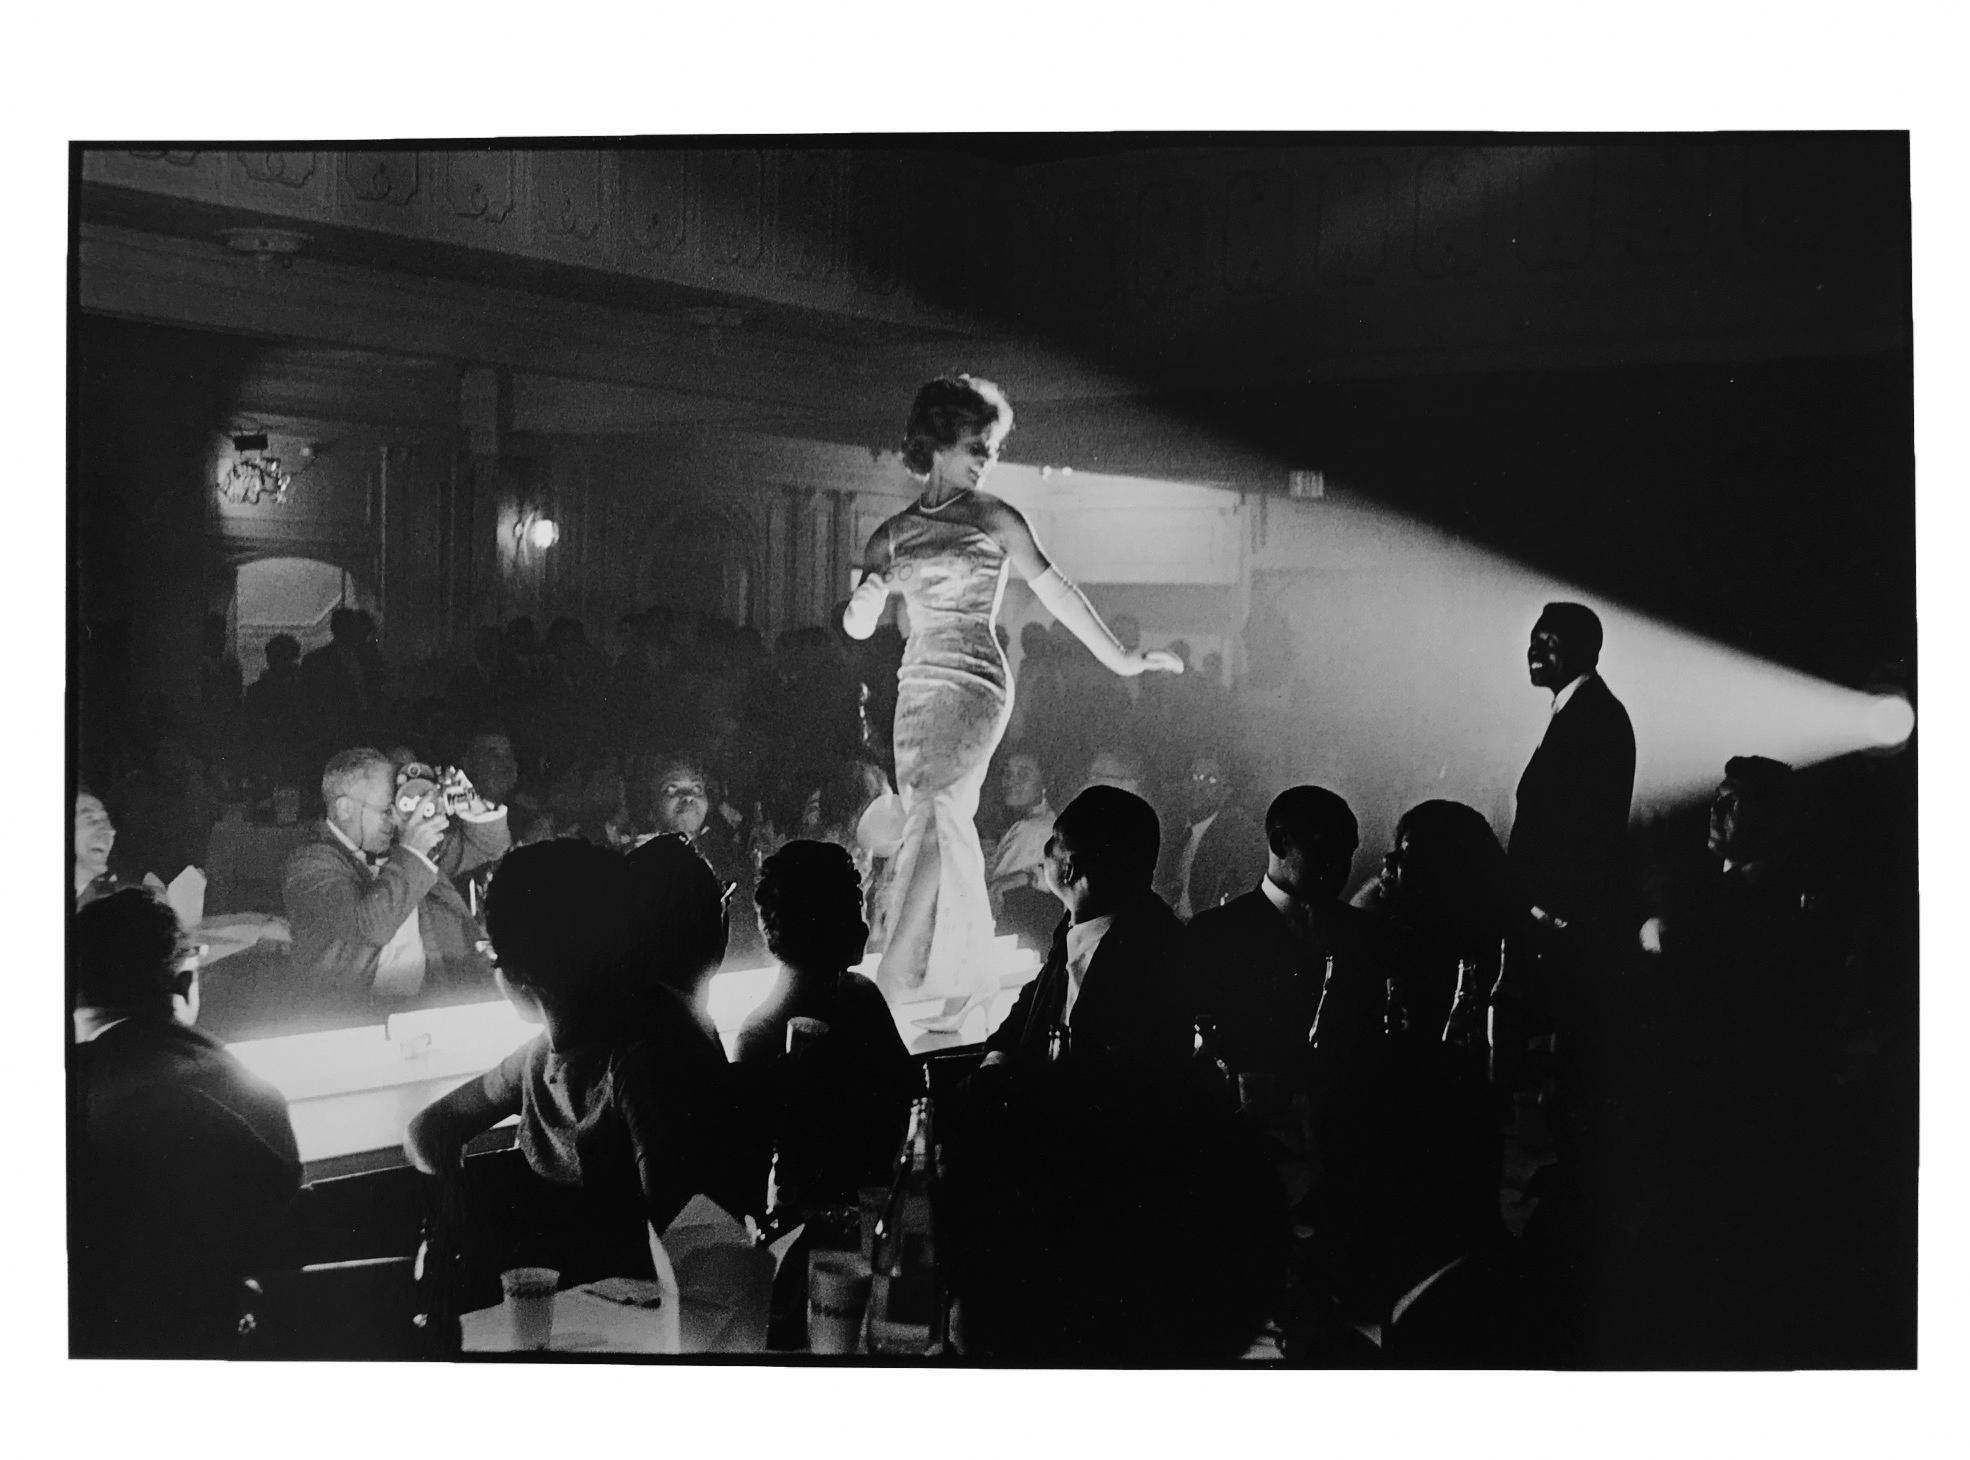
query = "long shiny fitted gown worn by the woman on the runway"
x=952 y=706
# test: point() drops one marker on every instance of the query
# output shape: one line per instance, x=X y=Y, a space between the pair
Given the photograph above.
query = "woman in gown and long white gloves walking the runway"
x=949 y=555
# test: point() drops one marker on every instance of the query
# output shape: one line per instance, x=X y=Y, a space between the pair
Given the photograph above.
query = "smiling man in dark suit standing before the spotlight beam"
x=1569 y=836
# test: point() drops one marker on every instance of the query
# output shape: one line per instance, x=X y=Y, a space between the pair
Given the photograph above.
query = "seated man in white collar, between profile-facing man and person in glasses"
x=1260 y=961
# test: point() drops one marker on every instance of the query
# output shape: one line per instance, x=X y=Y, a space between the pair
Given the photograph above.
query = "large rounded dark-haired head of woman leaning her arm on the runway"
x=555 y=915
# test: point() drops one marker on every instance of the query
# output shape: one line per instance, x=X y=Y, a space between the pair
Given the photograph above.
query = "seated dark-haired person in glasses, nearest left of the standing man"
x=1445 y=896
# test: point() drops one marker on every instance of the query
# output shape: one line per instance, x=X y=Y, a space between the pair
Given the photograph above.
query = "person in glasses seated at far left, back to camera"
x=188 y=1163
